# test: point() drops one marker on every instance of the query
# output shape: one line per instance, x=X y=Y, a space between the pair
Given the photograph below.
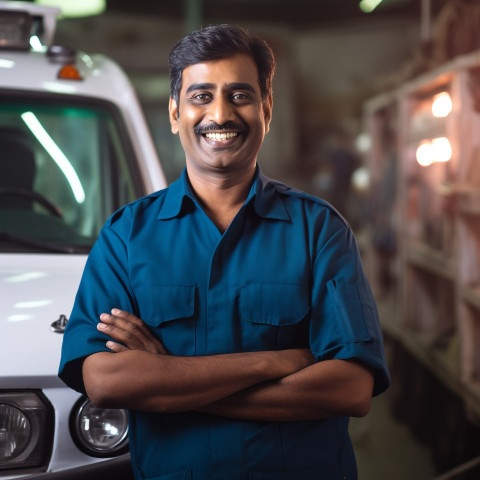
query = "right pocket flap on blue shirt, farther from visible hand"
x=274 y=303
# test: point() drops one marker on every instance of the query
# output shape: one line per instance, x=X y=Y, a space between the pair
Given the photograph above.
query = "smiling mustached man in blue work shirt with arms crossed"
x=259 y=335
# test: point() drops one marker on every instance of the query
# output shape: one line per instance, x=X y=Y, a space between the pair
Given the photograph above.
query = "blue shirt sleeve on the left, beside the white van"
x=104 y=285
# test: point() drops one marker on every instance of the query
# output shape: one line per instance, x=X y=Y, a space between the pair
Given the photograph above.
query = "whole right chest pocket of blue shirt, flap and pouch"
x=274 y=316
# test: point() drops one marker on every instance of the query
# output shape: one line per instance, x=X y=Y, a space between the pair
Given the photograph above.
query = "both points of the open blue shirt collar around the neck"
x=263 y=193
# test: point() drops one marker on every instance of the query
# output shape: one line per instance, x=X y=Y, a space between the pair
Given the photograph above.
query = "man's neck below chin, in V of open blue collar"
x=221 y=196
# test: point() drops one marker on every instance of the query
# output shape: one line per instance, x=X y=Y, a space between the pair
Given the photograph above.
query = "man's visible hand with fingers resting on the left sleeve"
x=131 y=331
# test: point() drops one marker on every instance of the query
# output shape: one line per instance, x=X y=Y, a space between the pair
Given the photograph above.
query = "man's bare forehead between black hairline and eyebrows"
x=240 y=68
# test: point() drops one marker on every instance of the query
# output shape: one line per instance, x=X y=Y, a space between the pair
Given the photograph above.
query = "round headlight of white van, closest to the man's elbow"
x=100 y=432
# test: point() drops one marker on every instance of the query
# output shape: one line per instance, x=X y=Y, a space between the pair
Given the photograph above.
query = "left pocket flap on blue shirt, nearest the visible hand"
x=162 y=303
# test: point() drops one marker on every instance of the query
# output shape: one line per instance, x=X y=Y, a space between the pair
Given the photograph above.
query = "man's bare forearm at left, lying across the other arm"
x=141 y=380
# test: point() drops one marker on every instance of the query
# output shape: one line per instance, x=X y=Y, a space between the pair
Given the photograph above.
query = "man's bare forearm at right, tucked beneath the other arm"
x=323 y=390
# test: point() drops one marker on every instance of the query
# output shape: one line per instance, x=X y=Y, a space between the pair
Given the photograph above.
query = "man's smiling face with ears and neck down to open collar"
x=222 y=118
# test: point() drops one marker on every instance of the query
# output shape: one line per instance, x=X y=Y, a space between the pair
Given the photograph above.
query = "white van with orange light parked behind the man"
x=74 y=146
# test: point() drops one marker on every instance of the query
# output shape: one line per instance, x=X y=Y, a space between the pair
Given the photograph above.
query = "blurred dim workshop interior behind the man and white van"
x=355 y=123
